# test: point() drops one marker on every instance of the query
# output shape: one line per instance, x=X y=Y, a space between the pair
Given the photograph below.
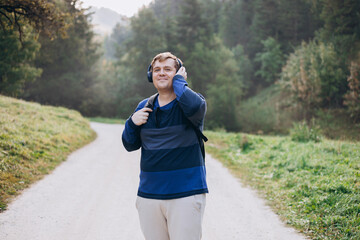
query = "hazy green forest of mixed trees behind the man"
x=262 y=65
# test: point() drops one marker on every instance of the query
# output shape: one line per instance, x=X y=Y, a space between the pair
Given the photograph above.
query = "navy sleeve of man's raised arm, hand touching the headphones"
x=193 y=104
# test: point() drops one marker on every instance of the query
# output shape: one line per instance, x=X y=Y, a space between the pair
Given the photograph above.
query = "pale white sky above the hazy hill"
x=124 y=7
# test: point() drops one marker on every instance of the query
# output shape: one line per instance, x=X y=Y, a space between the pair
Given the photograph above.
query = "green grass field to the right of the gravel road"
x=314 y=187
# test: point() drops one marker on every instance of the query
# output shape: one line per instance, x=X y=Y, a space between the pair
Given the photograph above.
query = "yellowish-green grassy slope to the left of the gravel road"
x=34 y=139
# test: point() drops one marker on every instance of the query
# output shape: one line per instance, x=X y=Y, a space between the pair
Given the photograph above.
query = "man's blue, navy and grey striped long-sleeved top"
x=172 y=165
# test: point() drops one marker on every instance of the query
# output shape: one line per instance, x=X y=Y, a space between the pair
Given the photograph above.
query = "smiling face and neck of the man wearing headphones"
x=163 y=73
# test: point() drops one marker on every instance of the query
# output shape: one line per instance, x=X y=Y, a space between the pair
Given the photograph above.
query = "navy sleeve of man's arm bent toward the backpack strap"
x=131 y=135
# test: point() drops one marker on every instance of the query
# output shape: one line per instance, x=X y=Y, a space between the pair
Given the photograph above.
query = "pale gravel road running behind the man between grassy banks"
x=92 y=196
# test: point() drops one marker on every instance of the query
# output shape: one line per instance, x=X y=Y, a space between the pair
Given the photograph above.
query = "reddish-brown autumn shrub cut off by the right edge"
x=352 y=97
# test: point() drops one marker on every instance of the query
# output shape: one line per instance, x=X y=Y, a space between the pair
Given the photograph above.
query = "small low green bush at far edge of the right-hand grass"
x=301 y=132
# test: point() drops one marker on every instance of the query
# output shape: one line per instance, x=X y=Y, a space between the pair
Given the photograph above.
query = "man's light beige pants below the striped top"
x=175 y=219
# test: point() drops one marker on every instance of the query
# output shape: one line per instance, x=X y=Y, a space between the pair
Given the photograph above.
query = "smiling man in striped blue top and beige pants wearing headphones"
x=171 y=196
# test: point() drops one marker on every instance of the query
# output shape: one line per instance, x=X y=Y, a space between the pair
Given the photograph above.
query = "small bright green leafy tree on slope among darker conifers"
x=270 y=59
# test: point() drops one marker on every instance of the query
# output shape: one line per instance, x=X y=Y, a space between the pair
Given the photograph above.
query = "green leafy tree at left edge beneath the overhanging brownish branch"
x=16 y=59
